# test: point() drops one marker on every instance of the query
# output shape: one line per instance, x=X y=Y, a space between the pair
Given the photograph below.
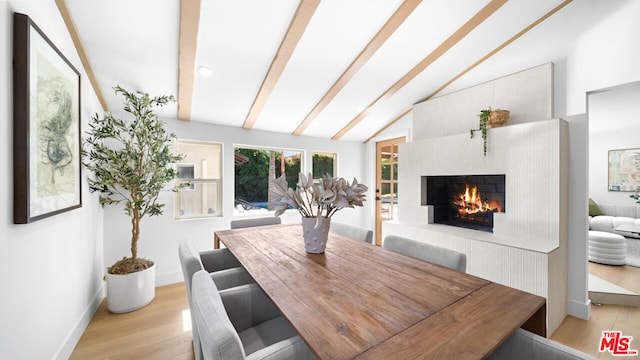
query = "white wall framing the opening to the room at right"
x=605 y=55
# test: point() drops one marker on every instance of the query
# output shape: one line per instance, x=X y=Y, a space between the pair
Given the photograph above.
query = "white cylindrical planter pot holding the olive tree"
x=130 y=292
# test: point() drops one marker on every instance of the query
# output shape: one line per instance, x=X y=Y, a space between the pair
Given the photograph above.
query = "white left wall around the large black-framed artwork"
x=50 y=270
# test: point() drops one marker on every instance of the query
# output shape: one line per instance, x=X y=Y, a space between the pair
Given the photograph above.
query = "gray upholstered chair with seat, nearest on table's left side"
x=242 y=323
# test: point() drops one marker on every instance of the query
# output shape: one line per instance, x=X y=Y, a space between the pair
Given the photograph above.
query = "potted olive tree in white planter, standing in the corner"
x=131 y=161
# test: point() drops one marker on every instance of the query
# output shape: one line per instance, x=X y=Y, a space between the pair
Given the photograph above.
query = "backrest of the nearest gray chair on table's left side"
x=218 y=337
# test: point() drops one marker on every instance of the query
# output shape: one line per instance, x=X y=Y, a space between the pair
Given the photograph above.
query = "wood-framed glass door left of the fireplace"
x=386 y=183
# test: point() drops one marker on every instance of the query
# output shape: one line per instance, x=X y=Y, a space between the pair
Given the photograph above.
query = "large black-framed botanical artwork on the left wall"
x=46 y=126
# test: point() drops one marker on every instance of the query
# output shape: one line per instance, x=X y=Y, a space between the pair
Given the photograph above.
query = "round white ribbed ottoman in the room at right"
x=607 y=248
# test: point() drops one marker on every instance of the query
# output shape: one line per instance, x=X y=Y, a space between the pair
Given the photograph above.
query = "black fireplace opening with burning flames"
x=467 y=201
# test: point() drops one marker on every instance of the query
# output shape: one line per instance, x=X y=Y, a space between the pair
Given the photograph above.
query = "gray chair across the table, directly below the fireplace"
x=427 y=252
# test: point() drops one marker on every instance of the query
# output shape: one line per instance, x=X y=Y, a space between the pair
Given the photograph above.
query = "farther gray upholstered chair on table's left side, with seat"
x=222 y=267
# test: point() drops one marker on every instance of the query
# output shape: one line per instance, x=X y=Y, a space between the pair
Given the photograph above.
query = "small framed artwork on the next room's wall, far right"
x=624 y=170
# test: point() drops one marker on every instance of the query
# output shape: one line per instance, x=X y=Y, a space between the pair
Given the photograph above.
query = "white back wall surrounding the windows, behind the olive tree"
x=160 y=235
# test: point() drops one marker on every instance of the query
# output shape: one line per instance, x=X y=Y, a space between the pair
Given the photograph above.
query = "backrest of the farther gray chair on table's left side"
x=191 y=263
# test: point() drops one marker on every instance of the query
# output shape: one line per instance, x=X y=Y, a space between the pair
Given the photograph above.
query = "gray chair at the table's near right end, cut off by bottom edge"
x=524 y=345
